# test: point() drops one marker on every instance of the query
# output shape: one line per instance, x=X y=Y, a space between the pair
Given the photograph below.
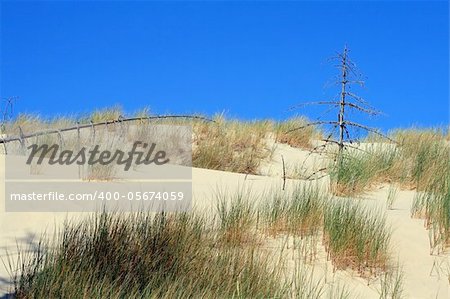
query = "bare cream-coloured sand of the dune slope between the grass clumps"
x=425 y=276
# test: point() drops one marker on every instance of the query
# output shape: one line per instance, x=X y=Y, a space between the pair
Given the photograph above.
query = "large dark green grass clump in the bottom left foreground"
x=146 y=256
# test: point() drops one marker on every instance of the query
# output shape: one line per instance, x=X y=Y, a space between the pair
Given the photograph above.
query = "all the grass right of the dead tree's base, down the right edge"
x=420 y=161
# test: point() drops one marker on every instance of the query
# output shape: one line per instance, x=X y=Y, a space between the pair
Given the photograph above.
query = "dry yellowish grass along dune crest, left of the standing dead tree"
x=225 y=144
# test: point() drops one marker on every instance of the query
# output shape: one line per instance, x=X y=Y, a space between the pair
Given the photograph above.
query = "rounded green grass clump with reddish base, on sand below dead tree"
x=355 y=237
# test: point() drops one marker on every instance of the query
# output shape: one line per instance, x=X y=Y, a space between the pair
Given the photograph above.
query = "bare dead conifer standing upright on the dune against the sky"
x=345 y=102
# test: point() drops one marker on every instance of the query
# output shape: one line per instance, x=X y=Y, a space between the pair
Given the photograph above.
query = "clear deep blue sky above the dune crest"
x=252 y=59
